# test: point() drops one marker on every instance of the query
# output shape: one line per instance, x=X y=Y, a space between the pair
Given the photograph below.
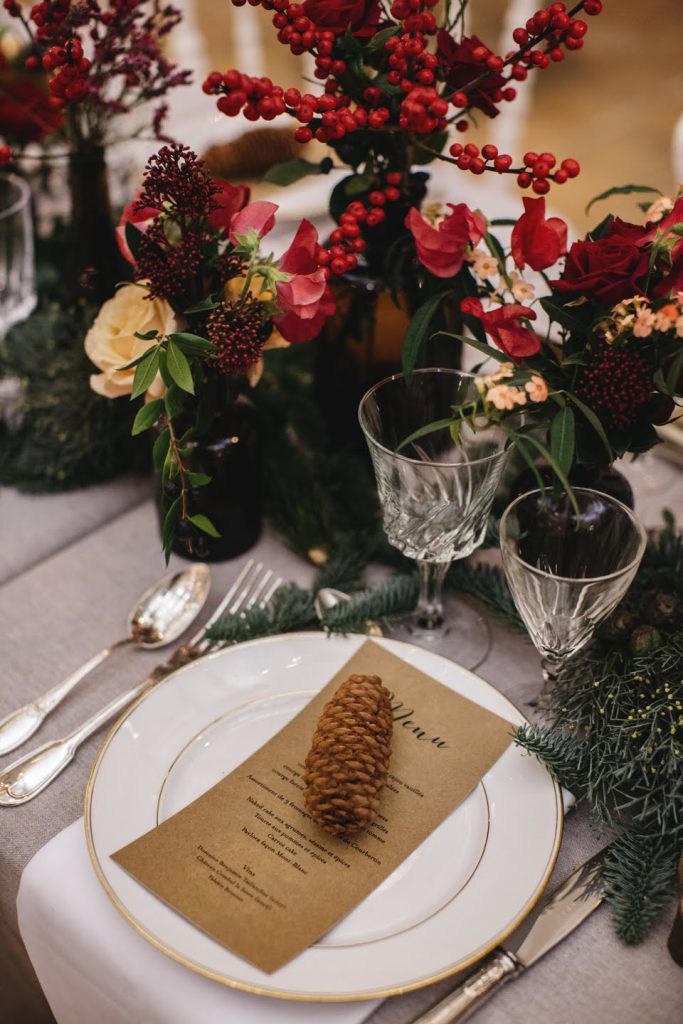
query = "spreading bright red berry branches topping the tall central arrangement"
x=405 y=83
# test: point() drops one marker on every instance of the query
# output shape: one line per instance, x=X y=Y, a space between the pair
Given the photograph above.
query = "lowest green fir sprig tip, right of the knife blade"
x=641 y=880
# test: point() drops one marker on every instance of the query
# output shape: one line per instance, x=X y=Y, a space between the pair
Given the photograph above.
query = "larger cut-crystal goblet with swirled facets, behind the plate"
x=436 y=493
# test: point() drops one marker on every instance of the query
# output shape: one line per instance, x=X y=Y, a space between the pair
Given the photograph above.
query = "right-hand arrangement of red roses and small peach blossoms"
x=597 y=361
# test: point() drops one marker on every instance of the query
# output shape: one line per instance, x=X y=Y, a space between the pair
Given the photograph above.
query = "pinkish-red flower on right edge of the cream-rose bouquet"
x=307 y=301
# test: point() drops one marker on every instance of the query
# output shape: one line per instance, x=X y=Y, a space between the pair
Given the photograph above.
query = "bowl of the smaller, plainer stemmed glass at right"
x=569 y=567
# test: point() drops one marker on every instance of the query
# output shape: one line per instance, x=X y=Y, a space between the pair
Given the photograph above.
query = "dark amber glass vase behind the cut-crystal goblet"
x=363 y=344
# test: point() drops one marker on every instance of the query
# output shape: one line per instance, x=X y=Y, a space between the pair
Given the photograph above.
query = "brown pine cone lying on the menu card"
x=348 y=764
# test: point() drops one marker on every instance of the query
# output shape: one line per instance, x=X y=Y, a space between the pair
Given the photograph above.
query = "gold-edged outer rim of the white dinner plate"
x=285 y=995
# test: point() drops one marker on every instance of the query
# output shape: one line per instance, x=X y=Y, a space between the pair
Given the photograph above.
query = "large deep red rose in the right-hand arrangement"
x=607 y=270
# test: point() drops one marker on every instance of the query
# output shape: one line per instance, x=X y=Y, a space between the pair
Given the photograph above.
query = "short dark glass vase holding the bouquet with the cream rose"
x=231 y=455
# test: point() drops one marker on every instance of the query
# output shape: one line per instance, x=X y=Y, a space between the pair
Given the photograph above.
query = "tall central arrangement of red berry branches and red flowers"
x=396 y=79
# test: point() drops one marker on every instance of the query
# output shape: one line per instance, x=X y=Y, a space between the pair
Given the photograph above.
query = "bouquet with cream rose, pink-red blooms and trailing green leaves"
x=205 y=305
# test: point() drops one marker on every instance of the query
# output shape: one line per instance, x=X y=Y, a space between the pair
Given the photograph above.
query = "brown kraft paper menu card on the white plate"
x=247 y=865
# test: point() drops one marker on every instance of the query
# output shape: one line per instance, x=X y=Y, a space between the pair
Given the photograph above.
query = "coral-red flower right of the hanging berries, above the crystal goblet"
x=442 y=250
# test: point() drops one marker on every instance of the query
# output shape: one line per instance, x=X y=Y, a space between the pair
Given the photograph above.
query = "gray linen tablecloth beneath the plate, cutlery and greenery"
x=62 y=611
